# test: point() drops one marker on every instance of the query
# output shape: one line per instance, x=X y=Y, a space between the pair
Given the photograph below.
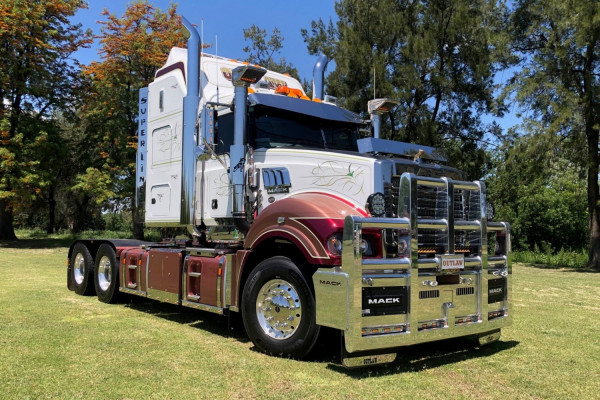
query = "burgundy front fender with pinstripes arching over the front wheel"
x=306 y=220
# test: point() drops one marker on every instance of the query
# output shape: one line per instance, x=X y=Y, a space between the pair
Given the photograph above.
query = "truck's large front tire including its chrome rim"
x=278 y=309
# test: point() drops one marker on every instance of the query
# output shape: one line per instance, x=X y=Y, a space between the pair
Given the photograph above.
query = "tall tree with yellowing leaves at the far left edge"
x=37 y=77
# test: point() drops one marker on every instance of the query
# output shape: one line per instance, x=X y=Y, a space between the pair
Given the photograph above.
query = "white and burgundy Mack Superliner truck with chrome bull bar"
x=298 y=223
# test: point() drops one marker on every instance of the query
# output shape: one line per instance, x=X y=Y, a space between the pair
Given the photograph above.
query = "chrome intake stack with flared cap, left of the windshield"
x=242 y=78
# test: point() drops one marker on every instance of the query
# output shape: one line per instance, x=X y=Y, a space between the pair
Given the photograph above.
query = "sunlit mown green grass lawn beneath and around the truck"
x=55 y=344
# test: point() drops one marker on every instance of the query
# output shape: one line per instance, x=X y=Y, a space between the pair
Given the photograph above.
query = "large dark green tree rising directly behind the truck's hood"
x=438 y=58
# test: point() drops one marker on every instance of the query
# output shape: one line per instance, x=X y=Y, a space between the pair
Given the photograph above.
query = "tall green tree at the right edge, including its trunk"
x=559 y=42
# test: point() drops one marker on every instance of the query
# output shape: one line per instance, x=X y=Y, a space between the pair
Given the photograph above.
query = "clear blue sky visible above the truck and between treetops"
x=226 y=20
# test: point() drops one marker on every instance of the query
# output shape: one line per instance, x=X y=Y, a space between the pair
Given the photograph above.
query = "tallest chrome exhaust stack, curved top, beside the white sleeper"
x=190 y=117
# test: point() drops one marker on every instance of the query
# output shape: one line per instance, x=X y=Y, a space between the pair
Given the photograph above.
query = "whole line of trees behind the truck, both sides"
x=68 y=131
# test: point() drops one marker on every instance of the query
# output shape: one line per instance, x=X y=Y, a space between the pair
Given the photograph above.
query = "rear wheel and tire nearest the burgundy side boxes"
x=106 y=274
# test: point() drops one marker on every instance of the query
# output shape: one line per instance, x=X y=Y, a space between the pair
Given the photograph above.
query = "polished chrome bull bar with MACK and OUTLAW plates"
x=419 y=302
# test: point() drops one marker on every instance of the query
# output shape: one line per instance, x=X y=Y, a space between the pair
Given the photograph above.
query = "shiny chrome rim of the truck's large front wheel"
x=278 y=309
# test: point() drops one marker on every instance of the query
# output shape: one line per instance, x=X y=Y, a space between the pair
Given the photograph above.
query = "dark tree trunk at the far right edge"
x=593 y=198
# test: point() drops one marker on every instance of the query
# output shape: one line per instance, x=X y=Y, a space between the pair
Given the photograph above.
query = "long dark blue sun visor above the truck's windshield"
x=306 y=107
